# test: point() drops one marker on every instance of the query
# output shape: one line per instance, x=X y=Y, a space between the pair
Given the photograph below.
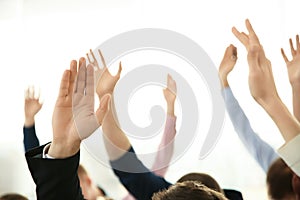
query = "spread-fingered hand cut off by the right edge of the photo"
x=293 y=66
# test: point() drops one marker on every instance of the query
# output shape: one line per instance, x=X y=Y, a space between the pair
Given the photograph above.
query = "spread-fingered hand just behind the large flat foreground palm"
x=105 y=82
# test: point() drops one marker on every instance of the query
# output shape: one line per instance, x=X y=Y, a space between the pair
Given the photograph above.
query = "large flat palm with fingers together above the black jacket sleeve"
x=74 y=118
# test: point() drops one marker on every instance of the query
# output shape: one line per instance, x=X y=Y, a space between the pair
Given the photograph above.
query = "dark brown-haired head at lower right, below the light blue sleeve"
x=279 y=181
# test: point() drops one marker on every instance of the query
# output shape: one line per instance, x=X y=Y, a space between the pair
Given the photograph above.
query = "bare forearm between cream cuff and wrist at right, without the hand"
x=285 y=121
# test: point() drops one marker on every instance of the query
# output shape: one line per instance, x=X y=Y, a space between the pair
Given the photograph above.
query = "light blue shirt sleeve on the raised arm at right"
x=262 y=152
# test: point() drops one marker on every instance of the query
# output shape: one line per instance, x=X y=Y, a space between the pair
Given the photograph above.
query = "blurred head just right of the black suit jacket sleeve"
x=89 y=189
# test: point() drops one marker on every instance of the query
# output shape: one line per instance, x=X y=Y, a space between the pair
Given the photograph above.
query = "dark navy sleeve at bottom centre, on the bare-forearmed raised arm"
x=136 y=178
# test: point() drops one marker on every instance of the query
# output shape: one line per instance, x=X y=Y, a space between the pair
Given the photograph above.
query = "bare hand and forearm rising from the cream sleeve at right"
x=262 y=85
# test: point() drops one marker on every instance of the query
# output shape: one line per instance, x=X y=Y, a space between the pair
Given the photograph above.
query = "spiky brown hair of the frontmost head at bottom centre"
x=188 y=190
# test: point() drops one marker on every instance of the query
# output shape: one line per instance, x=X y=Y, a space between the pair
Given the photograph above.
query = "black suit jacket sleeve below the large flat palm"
x=54 y=178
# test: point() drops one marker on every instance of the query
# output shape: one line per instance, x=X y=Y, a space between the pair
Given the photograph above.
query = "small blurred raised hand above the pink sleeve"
x=170 y=94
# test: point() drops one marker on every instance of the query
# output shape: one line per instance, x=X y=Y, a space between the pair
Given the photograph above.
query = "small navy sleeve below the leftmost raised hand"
x=30 y=140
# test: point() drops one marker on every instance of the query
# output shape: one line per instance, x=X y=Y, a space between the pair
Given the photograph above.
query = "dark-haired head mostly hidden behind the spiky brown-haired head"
x=203 y=178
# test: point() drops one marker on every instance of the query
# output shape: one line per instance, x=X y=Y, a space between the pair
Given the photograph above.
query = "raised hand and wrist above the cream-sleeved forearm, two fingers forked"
x=261 y=81
